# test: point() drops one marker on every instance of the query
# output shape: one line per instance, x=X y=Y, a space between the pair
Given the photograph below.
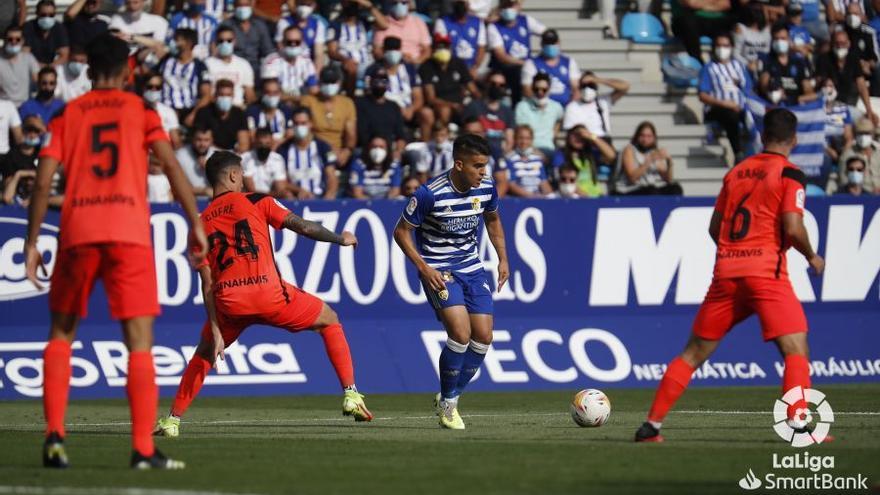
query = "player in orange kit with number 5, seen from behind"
x=101 y=141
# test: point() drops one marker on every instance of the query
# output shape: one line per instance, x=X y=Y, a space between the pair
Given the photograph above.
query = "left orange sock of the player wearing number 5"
x=56 y=384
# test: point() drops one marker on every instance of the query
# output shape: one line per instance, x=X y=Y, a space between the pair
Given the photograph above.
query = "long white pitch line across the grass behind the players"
x=405 y=418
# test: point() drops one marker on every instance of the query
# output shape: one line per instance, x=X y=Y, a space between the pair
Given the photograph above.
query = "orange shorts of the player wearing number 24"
x=300 y=314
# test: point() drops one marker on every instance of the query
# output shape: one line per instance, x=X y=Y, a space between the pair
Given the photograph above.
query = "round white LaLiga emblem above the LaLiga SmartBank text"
x=784 y=427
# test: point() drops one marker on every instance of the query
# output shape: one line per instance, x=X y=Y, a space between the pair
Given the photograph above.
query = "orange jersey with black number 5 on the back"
x=101 y=140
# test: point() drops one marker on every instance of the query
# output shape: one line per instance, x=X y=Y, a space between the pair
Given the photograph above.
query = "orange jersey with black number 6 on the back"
x=755 y=195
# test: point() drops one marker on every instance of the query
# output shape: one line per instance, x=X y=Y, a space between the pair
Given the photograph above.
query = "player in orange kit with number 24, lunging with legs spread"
x=242 y=287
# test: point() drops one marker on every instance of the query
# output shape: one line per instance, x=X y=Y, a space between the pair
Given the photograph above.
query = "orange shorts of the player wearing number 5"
x=127 y=270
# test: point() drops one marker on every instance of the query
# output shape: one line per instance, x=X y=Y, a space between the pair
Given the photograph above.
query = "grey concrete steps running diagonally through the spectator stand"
x=676 y=114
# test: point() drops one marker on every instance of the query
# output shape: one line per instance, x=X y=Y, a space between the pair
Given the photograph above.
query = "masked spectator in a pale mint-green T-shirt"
x=541 y=114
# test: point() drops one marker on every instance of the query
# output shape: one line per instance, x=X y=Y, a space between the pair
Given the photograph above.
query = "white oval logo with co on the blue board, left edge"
x=13 y=283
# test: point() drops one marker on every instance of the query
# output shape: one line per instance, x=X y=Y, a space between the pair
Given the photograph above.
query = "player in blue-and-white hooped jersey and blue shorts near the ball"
x=445 y=215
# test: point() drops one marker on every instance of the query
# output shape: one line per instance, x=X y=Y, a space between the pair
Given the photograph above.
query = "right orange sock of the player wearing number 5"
x=143 y=399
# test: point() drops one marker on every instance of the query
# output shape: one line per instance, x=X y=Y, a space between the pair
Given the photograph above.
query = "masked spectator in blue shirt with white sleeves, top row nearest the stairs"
x=509 y=40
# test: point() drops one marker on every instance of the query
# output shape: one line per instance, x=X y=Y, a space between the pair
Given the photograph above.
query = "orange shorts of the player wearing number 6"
x=732 y=300
